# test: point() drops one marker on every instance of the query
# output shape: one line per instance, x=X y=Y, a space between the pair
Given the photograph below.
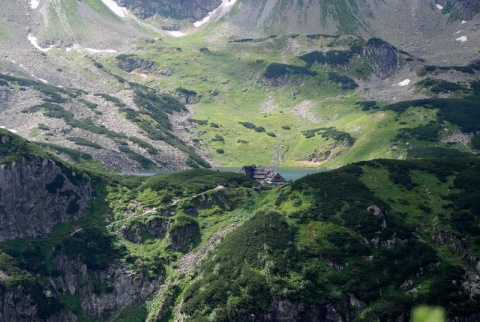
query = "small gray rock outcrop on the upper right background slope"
x=382 y=57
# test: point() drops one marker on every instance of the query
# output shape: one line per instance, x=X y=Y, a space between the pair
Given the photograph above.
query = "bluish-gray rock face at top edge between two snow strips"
x=192 y=10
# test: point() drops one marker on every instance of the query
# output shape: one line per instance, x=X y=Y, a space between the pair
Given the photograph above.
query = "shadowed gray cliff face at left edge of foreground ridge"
x=35 y=195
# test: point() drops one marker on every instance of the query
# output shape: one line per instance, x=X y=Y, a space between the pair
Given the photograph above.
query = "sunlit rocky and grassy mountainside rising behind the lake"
x=303 y=83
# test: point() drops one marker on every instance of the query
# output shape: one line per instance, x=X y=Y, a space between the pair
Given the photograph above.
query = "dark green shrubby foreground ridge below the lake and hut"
x=364 y=242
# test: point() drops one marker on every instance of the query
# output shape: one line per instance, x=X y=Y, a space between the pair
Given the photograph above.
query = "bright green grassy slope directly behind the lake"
x=228 y=81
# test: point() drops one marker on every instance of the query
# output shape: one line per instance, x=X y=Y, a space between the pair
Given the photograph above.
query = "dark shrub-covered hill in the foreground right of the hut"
x=328 y=215
